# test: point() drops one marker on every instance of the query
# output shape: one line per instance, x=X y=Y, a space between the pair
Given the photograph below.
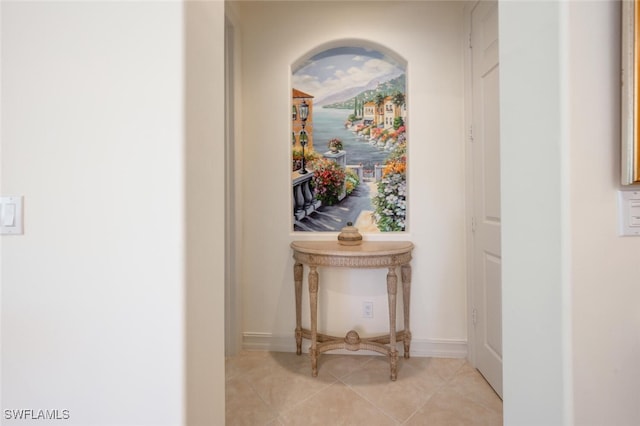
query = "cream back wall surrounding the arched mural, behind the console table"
x=428 y=35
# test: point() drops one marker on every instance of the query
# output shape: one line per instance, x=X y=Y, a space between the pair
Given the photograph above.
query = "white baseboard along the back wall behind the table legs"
x=435 y=348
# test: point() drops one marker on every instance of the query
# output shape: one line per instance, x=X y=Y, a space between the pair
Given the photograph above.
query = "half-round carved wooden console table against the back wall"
x=371 y=255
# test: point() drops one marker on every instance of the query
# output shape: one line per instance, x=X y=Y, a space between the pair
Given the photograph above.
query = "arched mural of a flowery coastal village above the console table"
x=349 y=142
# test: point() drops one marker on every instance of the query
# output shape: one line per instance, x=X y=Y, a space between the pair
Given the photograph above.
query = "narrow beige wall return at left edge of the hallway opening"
x=204 y=202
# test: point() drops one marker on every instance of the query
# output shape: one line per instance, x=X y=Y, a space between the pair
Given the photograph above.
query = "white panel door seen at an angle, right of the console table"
x=487 y=259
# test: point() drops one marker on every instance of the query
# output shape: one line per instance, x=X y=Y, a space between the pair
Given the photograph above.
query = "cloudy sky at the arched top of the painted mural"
x=335 y=70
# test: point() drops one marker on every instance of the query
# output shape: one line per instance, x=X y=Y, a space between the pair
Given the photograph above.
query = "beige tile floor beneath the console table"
x=276 y=388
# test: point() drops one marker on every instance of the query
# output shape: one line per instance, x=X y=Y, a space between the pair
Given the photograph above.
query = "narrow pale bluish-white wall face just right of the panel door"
x=534 y=193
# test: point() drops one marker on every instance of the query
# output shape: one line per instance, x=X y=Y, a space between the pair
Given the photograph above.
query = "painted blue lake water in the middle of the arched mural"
x=329 y=123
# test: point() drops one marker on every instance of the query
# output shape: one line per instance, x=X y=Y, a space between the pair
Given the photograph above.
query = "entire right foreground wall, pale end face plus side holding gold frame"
x=570 y=295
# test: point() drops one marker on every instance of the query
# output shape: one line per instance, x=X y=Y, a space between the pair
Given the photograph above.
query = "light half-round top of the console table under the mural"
x=367 y=248
